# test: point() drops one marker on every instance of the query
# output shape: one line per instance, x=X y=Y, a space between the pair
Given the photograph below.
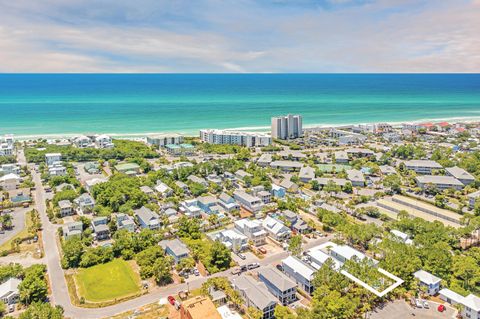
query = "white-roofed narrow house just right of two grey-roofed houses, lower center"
x=301 y=273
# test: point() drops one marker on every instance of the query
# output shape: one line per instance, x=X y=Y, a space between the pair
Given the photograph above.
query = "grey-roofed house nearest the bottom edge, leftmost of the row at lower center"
x=255 y=295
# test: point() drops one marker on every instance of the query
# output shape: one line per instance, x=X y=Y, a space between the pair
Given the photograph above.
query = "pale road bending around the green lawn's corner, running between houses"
x=60 y=294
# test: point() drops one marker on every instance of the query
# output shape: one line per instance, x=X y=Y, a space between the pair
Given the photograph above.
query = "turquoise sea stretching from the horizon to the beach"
x=144 y=103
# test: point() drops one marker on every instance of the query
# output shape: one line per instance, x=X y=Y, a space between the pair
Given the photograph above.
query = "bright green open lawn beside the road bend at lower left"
x=109 y=281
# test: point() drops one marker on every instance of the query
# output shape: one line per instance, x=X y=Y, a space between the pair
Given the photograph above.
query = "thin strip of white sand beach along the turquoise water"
x=260 y=129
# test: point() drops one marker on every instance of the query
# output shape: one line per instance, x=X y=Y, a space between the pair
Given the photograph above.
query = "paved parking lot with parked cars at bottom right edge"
x=399 y=309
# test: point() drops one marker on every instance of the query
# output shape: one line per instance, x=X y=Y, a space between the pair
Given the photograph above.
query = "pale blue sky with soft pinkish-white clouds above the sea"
x=241 y=36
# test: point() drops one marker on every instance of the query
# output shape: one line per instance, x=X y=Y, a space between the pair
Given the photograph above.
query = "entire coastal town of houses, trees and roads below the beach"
x=376 y=221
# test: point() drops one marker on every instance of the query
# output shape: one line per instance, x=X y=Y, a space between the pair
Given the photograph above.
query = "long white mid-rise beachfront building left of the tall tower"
x=248 y=139
